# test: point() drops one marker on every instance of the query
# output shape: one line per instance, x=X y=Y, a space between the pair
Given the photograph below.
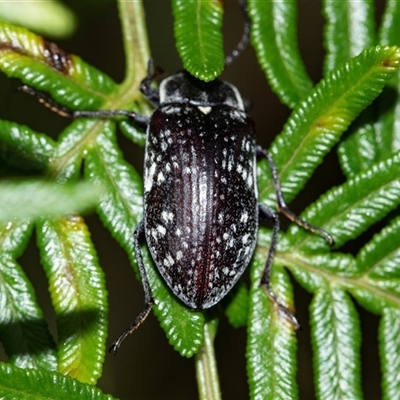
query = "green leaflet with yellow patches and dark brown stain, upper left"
x=46 y=67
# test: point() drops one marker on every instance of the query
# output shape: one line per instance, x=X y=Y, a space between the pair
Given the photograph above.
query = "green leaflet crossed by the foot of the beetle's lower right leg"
x=271 y=344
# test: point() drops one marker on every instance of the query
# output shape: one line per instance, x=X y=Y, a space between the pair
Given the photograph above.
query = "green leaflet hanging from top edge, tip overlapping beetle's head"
x=197 y=27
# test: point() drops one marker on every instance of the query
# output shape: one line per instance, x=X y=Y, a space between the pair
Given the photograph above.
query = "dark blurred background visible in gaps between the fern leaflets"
x=146 y=366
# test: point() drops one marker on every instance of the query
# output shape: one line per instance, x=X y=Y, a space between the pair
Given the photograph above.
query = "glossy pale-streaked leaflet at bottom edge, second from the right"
x=336 y=340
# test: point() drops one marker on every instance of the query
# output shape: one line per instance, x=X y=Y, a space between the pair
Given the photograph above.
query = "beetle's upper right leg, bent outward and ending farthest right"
x=283 y=208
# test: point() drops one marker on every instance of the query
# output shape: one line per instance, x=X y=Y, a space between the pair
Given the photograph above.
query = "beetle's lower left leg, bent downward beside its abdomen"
x=148 y=296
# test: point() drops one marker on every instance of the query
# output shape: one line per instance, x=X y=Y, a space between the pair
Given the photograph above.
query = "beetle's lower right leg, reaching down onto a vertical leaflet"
x=267 y=213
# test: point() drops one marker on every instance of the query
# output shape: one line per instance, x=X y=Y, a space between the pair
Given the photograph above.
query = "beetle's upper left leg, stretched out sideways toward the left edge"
x=140 y=120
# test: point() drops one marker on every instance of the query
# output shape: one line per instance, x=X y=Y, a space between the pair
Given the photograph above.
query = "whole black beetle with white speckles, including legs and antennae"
x=201 y=210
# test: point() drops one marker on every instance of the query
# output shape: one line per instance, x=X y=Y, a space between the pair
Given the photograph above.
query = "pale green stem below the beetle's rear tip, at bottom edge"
x=206 y=366
